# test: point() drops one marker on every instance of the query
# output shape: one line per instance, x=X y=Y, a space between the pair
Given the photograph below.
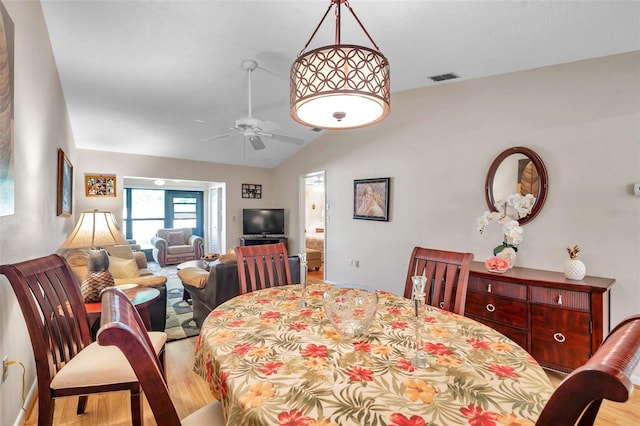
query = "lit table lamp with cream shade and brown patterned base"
x=95 y=229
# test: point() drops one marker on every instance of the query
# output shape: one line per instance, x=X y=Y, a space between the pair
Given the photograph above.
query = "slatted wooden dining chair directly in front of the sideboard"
x=447 y=274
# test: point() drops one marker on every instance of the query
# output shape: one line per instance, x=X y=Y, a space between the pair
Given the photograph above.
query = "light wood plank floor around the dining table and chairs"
x=189 y=392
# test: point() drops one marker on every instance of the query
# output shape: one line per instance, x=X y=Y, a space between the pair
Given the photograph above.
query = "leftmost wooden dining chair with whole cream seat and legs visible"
x=67 y=362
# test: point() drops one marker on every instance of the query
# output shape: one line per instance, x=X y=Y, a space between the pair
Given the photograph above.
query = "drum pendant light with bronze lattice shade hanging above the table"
x=341 y=86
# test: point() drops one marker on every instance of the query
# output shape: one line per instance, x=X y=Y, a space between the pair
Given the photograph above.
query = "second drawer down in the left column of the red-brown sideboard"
x=497 y=309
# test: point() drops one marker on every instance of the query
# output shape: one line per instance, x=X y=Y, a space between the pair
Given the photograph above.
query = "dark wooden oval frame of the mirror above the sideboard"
x=542 y=180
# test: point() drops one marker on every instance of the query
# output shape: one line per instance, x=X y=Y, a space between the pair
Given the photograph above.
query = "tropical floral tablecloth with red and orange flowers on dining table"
x=271 y=362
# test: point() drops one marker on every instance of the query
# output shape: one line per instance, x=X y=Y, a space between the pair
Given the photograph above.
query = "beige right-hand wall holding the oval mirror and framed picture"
x=583 y=119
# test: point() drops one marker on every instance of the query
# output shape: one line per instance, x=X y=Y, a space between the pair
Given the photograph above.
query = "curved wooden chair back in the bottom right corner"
x=606 y=375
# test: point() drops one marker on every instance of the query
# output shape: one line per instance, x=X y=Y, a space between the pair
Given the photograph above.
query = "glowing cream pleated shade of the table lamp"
x=94 y=229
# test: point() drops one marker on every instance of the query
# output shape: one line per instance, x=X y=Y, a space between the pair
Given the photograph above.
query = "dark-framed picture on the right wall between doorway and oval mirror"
x=371 y=199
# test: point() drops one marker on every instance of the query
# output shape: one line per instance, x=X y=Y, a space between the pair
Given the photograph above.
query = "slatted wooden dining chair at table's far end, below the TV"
x=262 y=266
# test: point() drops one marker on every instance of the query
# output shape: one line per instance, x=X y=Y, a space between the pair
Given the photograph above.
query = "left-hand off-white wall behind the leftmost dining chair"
x=41 y=127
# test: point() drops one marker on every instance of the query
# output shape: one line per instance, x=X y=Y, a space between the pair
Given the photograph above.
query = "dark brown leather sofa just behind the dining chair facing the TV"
x=209 y=289
